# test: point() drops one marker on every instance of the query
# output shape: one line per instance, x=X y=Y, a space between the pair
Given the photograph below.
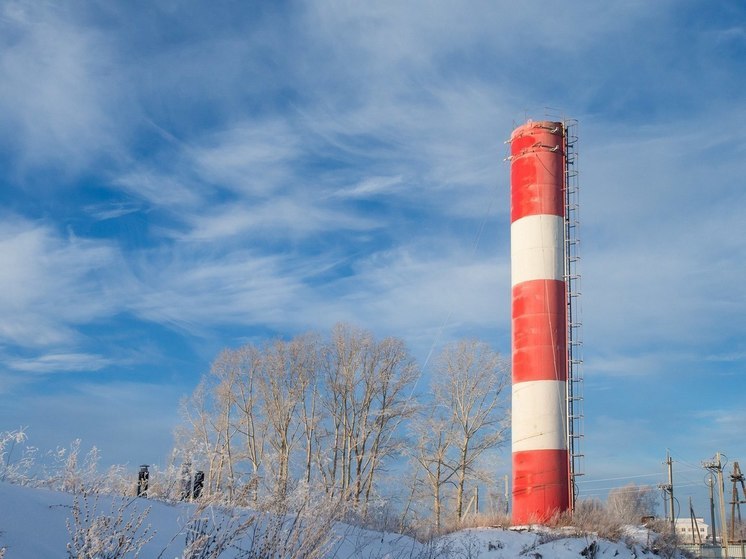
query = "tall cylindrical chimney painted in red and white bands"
x=537 y=232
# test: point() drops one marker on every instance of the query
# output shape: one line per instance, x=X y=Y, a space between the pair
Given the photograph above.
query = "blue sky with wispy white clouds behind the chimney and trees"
x=179 y=177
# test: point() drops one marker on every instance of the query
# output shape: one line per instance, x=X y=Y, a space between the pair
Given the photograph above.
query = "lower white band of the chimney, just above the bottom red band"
x=539 y=415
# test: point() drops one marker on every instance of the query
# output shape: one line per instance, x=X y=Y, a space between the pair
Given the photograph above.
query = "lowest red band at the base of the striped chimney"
x=540 y=485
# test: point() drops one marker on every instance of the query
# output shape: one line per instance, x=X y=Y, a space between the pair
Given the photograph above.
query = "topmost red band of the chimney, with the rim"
x=536 y=172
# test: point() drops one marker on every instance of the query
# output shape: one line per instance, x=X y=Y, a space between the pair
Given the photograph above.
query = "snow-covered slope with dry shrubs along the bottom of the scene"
x=38 y=523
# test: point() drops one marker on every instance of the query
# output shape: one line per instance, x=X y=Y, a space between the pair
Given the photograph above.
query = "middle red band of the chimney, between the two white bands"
x=539 y=344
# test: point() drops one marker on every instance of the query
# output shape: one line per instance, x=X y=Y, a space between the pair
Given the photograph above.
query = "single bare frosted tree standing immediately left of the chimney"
x=470 y=382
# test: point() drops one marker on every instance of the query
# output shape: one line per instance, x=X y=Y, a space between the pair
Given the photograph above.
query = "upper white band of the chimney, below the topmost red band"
x=536 y=248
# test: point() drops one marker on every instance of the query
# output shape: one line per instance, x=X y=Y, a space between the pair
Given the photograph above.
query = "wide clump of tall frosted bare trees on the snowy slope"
x=304 y=409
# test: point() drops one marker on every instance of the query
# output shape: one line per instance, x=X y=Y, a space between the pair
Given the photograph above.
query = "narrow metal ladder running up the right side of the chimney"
x=575 y=415
